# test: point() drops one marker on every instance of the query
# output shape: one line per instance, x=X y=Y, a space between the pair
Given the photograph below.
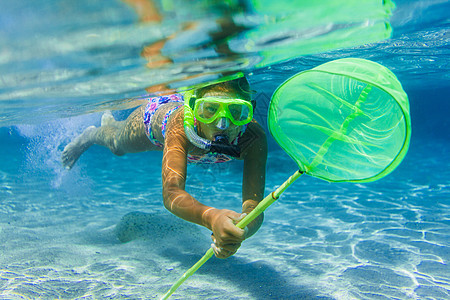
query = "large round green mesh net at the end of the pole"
x=345 y=120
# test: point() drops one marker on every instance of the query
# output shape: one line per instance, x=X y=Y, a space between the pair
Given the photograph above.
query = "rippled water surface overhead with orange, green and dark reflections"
x=66 y=58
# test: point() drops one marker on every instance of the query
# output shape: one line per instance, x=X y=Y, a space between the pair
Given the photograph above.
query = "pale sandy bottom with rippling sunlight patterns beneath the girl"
x=387 y=239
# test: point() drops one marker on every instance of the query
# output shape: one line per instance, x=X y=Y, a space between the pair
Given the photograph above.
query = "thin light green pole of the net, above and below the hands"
x=262 y=206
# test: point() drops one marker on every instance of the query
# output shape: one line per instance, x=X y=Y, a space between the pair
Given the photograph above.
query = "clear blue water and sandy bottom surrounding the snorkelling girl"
x=383 y=240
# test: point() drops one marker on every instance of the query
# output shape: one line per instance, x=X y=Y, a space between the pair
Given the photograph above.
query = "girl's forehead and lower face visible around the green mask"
x=212 y=130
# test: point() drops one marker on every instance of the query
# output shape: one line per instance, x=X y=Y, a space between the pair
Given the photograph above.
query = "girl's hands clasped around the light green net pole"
x=226 y=237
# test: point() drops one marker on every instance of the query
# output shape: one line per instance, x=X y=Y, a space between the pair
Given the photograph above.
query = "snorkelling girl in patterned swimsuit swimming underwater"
x=212 y=124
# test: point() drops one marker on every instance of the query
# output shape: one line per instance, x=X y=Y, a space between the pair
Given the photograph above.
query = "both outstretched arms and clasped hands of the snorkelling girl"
x=226 y=236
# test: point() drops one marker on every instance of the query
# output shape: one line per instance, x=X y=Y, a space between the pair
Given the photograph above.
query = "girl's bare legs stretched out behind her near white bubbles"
x=120 y=137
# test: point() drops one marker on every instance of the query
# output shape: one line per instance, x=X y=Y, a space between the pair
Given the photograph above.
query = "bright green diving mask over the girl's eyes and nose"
x=209 y=109
